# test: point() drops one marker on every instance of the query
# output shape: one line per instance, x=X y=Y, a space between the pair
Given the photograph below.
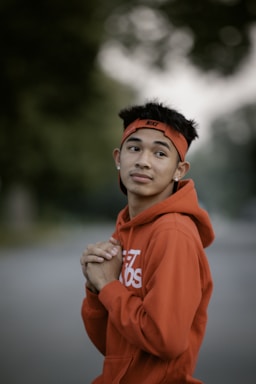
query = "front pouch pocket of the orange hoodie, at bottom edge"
x=115 y=368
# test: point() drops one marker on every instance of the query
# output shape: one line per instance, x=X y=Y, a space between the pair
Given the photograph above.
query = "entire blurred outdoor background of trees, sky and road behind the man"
x=67 y=68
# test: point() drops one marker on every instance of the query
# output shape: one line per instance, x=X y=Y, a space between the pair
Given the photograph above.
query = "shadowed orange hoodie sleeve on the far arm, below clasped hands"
x=95 y=317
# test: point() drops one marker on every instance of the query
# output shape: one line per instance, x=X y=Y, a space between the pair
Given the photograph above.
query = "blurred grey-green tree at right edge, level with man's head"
x=224 y=170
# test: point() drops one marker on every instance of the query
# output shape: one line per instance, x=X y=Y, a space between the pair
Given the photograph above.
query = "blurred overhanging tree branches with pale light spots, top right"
x=214 y=34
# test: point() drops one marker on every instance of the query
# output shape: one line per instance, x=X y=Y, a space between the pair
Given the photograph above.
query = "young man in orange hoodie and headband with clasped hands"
x=147 y=314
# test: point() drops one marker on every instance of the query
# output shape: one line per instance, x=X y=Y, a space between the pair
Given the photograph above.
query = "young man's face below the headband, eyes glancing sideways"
x=148 y=162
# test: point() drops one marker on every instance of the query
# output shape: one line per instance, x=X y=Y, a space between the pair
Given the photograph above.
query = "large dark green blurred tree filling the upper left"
x=56 y=109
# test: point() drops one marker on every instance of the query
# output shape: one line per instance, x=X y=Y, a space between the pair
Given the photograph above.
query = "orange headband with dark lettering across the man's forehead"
x=176 y=137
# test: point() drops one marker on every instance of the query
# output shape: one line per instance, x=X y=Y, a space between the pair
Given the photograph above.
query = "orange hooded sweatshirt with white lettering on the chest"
x=151 y=323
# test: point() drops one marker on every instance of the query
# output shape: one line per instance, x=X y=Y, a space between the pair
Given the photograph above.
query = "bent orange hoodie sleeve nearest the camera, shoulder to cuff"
x=160 y=323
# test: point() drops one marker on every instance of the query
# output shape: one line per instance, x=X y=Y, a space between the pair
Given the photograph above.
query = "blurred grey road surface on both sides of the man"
x=41 y=289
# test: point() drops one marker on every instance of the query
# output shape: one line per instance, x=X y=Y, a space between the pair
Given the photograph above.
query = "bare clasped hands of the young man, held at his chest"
x=101 y=263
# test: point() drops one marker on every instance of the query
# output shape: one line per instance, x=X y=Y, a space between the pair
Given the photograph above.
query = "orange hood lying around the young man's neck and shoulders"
x=184 y=201
